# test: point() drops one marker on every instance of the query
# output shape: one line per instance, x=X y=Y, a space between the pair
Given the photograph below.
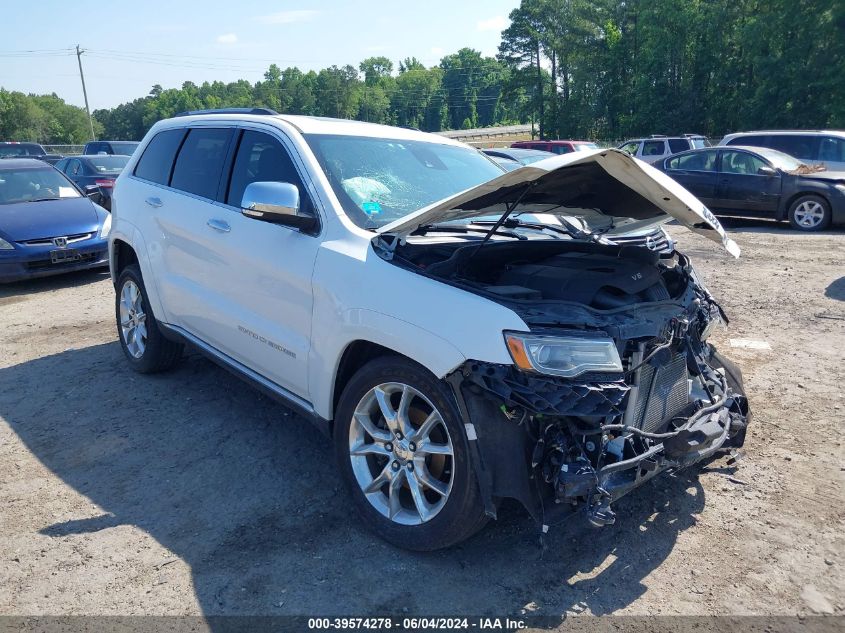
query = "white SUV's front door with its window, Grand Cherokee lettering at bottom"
x=265 y=268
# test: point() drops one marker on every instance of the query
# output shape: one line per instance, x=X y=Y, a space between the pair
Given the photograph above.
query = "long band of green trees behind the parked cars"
x=597 y=69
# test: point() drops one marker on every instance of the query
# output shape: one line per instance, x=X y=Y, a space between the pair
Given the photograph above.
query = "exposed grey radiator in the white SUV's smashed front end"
x=663 y=392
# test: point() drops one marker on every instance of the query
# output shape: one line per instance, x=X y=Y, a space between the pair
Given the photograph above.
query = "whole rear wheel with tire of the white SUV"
x=143 y=344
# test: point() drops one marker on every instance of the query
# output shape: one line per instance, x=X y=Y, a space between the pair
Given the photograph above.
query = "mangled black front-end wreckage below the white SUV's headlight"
x=561 y=445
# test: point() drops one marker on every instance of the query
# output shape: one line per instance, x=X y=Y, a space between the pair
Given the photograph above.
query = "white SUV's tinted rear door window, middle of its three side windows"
x=200 y=162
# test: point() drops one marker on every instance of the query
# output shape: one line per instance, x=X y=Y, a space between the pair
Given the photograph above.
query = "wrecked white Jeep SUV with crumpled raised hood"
x=381 y=281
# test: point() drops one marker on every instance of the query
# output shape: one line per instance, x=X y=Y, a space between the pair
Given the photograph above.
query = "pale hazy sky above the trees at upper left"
x=132 y=45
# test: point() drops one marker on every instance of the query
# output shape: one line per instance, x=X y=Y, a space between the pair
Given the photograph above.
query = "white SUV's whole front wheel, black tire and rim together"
x=401 y=449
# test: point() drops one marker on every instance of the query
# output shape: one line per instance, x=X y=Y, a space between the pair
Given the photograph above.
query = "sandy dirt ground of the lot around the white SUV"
x=190 y=493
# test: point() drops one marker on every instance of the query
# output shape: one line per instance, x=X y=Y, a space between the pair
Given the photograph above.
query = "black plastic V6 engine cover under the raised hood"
x=599 y=281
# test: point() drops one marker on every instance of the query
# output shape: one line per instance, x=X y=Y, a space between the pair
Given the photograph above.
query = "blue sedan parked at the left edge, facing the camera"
x=47 y=225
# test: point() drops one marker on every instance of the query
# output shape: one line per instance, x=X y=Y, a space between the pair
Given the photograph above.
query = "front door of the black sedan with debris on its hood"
x=742 y=187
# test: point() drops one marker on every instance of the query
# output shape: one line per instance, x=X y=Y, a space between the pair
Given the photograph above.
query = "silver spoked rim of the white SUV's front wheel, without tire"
x=401 y=453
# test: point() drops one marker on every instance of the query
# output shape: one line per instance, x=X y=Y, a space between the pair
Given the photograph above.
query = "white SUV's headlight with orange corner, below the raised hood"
x=566 y=356
